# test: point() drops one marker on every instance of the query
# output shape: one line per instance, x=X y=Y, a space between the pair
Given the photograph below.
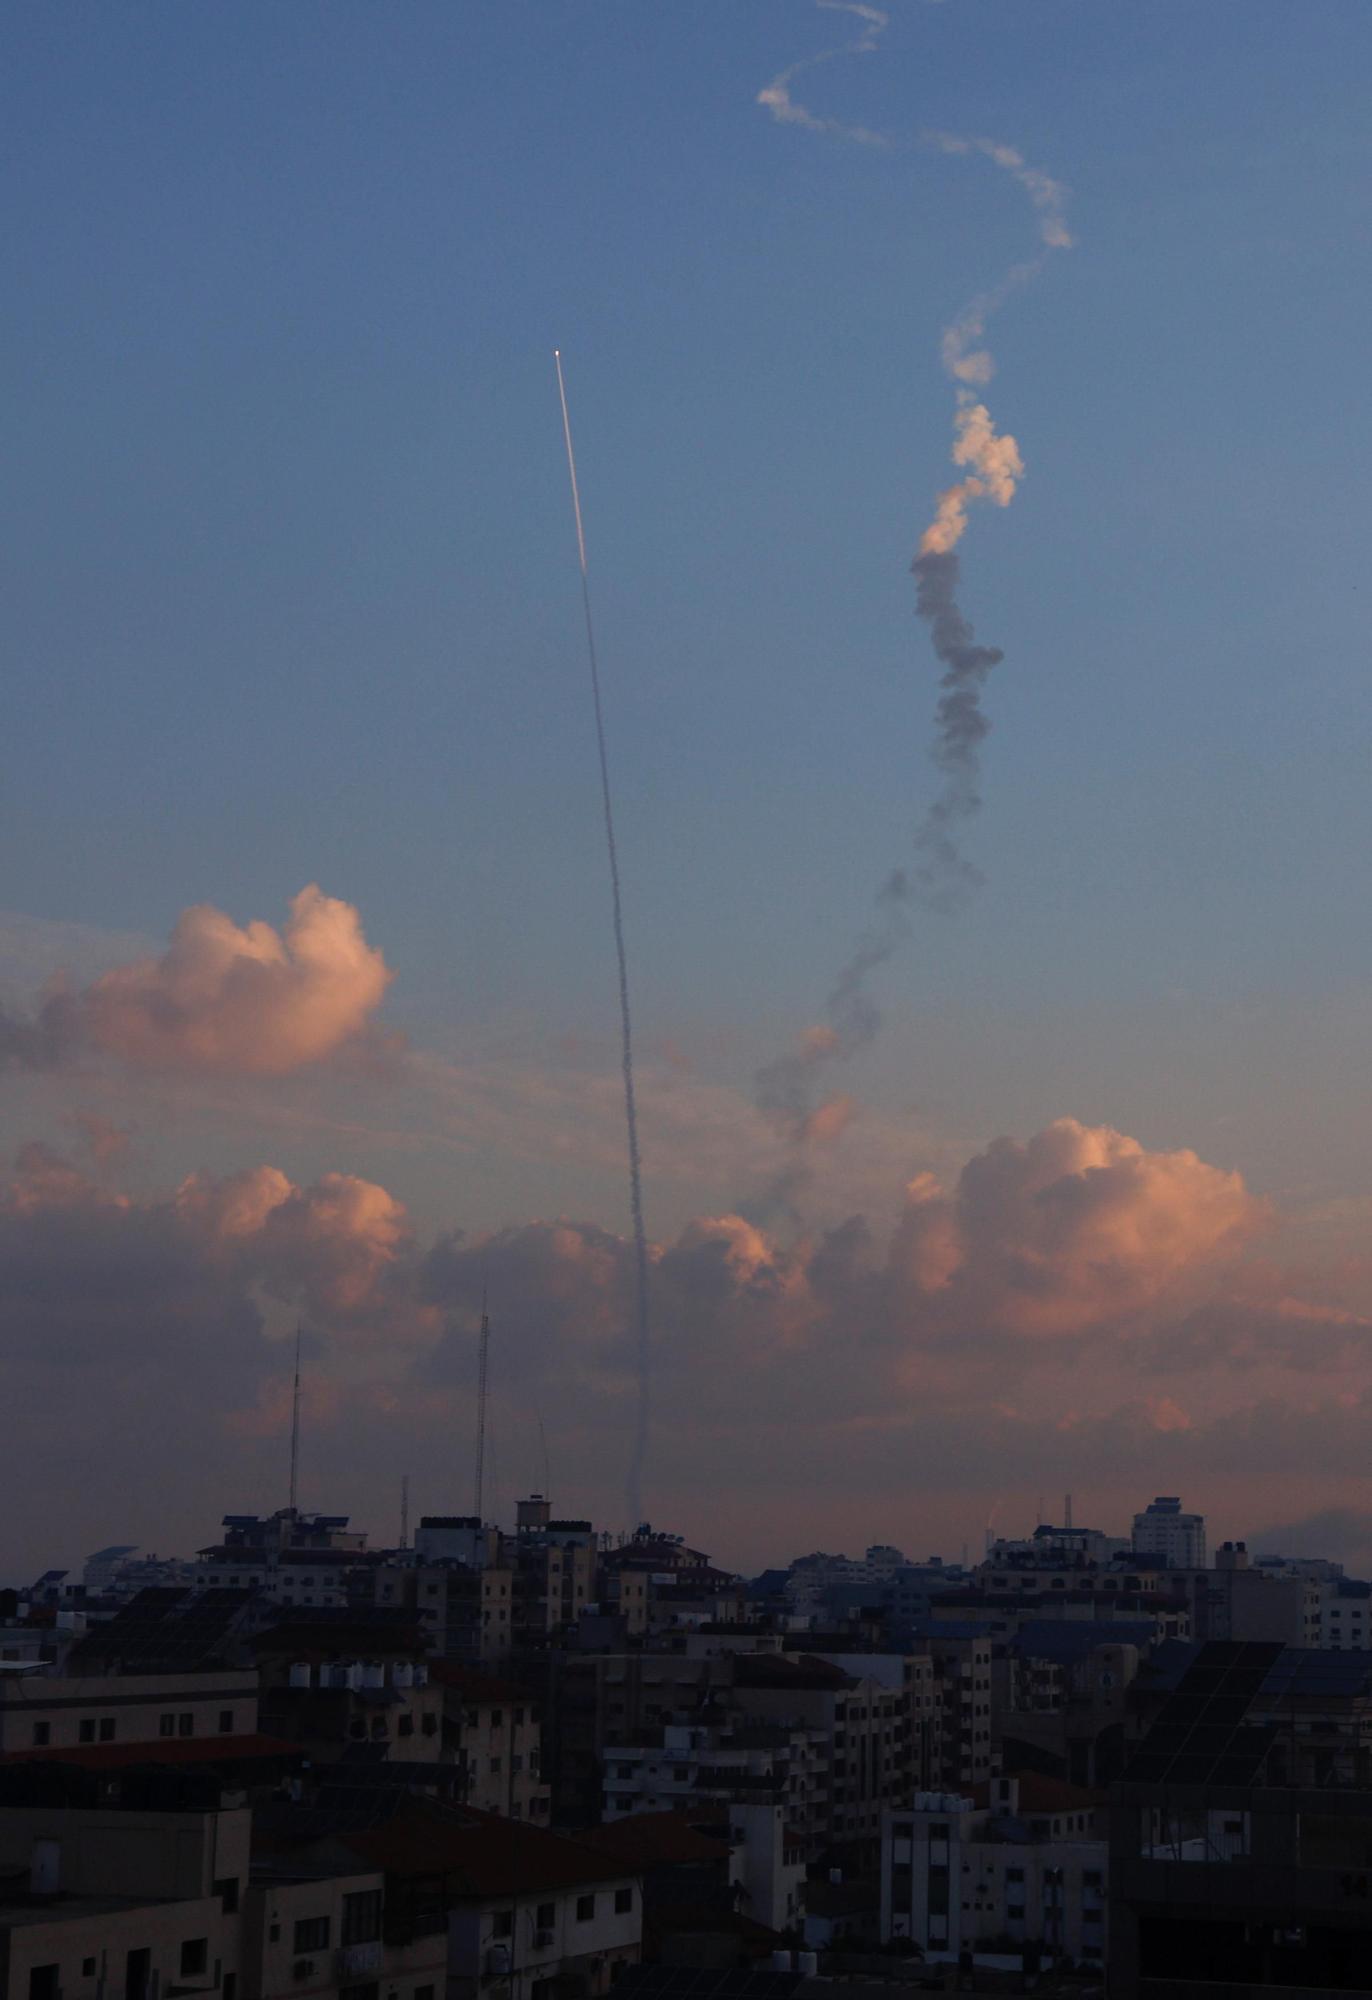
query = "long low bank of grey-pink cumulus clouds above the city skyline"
x=1013 y=1323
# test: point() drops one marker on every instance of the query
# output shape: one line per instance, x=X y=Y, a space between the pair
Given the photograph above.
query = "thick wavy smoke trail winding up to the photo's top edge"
x=941 y=879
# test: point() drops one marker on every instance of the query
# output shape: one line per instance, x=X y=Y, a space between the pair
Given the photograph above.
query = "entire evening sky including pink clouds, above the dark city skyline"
x=305 y=943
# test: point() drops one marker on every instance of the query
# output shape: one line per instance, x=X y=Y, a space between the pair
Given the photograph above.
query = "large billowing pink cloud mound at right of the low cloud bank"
x=1077 y=1229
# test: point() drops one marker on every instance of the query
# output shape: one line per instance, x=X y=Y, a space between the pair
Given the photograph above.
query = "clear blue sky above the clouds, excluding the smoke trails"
x=291 y=585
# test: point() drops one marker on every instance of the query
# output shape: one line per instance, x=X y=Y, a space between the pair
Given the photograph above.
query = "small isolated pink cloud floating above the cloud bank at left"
x=223 y=999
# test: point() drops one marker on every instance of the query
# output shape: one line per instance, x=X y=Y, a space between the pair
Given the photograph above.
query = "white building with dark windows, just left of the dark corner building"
x=1027 y=1867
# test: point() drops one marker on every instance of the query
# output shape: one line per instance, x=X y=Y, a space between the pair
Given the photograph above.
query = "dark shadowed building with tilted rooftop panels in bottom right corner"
x=1241 y=1833
